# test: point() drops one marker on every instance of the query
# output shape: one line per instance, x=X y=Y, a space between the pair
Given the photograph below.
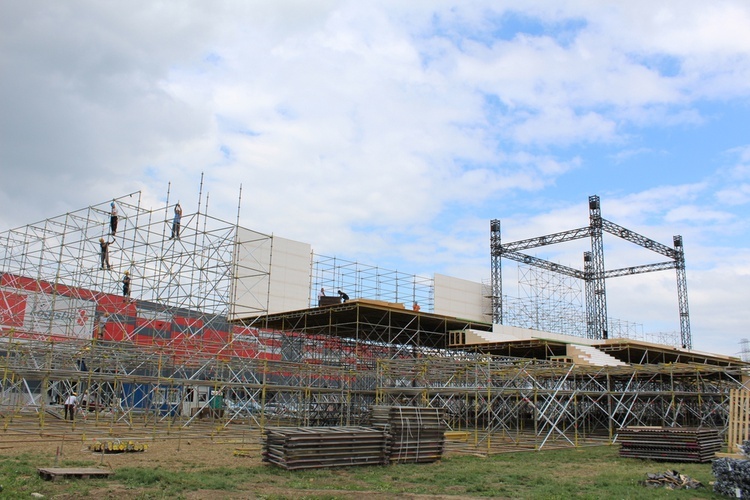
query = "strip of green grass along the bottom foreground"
x=587 y=473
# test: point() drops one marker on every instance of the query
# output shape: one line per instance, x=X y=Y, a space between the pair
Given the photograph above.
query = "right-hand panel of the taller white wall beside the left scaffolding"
x=291 y=263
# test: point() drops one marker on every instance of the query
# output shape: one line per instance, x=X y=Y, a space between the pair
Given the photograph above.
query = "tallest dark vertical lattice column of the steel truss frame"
x=597 y=330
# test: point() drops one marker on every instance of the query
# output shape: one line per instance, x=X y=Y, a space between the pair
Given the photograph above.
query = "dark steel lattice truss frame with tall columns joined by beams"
x=594 y=273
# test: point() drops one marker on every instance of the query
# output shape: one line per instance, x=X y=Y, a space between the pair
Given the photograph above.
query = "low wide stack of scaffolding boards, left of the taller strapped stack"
x=296 y=448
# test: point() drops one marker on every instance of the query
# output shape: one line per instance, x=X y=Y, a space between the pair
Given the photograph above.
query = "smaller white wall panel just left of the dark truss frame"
x=461 y=299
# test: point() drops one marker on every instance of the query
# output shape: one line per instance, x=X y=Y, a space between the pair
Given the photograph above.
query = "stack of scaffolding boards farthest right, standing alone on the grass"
x=674 y=444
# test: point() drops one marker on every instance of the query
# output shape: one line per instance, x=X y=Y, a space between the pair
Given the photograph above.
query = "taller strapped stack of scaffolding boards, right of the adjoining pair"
x=417 y=434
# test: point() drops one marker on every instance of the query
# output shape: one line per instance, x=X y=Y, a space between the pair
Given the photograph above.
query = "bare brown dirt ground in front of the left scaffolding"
x=202 y=446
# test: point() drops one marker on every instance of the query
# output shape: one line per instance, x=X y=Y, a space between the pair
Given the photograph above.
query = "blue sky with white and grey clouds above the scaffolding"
x=390 y=133
